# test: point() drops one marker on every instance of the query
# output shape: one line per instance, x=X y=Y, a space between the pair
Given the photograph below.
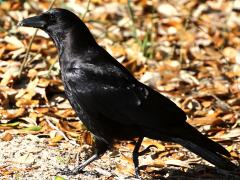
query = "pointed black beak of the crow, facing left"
x=35 y=21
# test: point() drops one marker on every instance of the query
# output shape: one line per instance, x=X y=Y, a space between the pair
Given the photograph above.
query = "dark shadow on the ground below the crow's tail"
x=198 y=171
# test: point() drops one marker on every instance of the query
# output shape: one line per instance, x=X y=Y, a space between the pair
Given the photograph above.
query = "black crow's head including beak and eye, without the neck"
x=52 y=20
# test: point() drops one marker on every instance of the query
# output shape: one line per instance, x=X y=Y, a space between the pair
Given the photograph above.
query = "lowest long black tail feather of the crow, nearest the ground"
x=213 y=157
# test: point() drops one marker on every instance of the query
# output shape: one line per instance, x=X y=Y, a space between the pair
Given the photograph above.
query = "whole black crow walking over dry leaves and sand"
x=110 y=102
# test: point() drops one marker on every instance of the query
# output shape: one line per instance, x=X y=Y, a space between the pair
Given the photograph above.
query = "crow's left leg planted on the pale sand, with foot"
x=100 y=148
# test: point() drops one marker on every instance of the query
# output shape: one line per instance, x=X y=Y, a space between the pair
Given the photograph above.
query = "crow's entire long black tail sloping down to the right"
x=193 y=140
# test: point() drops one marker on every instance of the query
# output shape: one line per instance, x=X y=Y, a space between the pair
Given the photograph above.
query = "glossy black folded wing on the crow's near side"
x=107 y=88
